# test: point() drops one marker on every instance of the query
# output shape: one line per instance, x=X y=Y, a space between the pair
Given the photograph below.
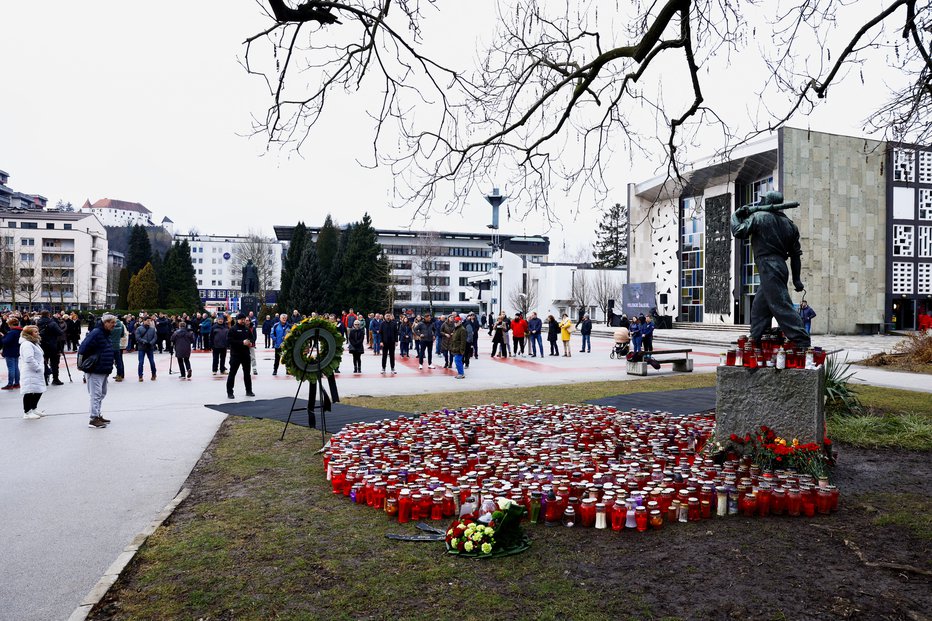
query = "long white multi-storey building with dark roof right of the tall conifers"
x=442 y=266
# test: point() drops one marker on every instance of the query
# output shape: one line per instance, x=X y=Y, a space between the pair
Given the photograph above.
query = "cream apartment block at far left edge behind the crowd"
x=52 y=259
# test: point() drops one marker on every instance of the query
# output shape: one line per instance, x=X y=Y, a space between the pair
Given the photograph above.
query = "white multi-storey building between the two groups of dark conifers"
x=218 y=262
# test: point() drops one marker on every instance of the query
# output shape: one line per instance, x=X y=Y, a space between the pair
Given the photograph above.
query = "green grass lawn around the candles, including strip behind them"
x=262 y=537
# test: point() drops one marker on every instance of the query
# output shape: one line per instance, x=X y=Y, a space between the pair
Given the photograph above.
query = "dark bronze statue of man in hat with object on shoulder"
x=774 y=239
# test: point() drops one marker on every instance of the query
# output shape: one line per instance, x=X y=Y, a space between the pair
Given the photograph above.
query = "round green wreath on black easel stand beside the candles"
x=311 y=361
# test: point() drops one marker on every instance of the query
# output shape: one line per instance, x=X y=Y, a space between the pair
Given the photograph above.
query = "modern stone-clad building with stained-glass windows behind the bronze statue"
x=865 y=222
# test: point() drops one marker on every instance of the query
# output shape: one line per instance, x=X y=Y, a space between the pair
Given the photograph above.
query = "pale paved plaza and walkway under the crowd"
x=71 y=498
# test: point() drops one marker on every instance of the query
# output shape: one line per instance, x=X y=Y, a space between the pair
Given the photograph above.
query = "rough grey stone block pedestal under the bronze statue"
x=790 y=401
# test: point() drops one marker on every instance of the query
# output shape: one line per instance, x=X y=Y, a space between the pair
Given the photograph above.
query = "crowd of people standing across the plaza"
x=33 y=344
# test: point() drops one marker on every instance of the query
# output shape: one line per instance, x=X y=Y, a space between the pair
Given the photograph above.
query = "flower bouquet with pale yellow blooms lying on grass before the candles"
x=497 y=534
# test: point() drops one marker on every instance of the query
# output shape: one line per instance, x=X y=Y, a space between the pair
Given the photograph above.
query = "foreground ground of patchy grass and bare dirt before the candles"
x=262 y=537
